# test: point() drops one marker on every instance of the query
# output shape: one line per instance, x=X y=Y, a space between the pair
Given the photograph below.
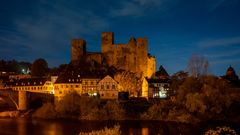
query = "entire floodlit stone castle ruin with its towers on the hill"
x=132 y=56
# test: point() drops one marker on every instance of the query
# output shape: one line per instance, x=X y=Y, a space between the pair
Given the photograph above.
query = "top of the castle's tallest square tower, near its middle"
x=107 y=41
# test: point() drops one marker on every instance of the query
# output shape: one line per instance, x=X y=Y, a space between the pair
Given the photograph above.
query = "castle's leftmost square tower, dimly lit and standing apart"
x=78 y=49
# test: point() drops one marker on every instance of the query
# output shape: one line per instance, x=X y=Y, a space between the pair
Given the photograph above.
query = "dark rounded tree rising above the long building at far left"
x=39 y=68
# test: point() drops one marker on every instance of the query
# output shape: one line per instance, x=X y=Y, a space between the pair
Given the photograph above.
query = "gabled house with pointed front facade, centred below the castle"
x=108 y=88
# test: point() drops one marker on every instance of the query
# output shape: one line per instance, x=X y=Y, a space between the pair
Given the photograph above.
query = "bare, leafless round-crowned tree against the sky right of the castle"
x=198 y=65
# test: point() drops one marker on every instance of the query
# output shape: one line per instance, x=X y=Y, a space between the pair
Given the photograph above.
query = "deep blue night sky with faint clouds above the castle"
x=176 y=29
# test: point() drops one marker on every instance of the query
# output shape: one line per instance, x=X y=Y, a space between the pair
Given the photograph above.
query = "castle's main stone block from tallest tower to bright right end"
x=132 y=56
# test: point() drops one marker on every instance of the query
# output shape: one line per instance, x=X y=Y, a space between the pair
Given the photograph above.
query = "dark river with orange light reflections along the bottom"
x=23 y=126
